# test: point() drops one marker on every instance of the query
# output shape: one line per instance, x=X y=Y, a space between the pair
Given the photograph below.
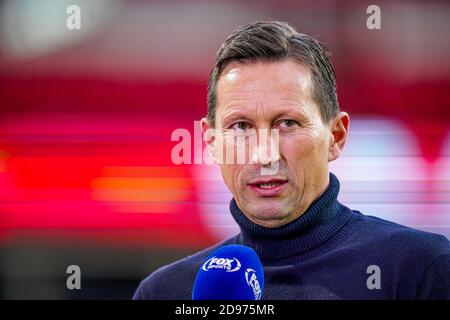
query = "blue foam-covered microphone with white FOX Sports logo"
x=232 y=272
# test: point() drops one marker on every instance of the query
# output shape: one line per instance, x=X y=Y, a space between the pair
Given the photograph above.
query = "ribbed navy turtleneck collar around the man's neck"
x=324 y=218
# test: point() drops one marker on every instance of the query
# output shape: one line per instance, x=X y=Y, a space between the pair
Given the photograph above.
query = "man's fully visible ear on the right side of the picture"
x=339 y=127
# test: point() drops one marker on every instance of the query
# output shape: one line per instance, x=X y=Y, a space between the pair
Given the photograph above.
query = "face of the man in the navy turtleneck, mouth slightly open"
x=275 y=95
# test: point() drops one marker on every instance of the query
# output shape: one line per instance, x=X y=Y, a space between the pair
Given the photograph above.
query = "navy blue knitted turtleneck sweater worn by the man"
x=330 y=252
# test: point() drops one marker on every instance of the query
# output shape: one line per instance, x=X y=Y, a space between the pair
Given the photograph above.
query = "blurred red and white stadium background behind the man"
x=86 y=118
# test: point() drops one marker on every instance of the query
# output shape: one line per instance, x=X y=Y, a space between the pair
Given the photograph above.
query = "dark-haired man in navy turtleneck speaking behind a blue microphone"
x=269 y=77
